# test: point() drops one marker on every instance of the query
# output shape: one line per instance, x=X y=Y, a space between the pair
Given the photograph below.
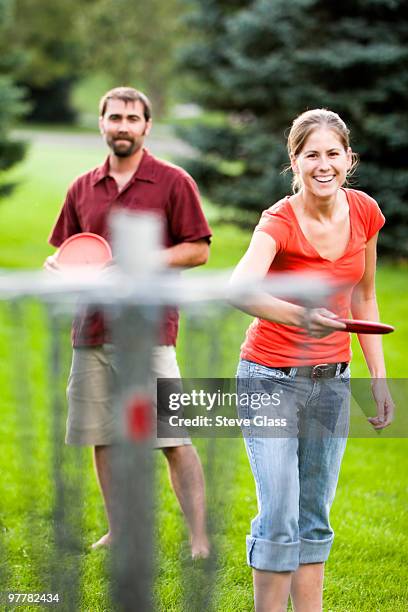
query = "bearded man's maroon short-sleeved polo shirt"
x=156 y=186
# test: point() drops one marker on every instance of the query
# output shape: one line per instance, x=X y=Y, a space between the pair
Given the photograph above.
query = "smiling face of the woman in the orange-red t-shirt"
x=322 y=164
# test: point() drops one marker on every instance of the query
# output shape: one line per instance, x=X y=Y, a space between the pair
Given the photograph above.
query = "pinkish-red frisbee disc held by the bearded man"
x=85 y=249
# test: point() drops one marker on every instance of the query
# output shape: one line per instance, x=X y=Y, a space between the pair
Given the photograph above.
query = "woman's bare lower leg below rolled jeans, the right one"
x=307 y=588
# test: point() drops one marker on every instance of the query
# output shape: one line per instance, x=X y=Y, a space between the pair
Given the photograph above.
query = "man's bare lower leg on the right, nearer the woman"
x=187 y=478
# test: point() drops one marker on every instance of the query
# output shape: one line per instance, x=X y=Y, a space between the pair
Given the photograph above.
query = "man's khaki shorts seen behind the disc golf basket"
x=91 y=419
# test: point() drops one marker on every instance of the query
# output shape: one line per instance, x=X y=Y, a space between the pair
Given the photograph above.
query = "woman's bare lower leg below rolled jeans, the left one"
x=271 y=590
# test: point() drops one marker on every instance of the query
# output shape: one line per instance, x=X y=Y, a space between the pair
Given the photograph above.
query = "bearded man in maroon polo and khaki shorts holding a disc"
x=133 y=179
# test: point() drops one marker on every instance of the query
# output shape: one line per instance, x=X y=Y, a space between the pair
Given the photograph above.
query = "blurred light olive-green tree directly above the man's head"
x=135 y=41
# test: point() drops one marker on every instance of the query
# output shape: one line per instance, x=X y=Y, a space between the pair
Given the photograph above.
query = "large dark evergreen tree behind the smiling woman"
x=261 y=63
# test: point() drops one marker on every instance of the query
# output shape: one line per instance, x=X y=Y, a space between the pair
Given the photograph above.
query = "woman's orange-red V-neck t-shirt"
x=278 y=345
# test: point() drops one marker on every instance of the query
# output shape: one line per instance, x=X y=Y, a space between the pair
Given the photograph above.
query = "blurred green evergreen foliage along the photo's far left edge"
x=11 y=106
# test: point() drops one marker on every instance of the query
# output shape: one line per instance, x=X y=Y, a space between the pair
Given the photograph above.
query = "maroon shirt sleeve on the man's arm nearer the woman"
x=186 y=218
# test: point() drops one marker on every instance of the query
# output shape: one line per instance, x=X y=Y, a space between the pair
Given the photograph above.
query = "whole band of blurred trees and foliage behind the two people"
x=250 y=66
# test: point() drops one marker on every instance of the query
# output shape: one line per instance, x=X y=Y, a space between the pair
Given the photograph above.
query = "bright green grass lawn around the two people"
x=367 y=570
